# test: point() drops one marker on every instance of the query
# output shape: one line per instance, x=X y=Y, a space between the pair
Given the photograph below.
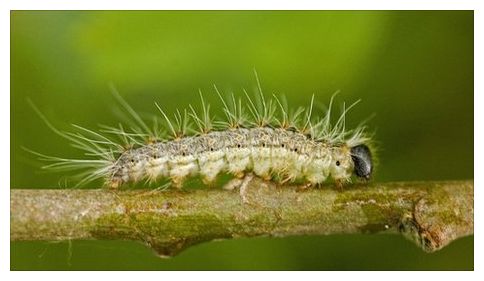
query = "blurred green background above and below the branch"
x=413 y=69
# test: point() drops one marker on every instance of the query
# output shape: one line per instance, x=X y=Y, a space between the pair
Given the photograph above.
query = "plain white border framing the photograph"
x=8 y=5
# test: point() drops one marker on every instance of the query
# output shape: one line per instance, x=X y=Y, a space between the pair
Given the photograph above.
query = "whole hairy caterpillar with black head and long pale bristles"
x=271 y=142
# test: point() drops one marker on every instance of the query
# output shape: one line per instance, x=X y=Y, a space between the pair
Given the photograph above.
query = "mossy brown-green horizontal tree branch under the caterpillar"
x=432 y=214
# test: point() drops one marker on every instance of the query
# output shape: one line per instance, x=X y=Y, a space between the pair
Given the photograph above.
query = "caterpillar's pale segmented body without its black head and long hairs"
x=267 y=152
